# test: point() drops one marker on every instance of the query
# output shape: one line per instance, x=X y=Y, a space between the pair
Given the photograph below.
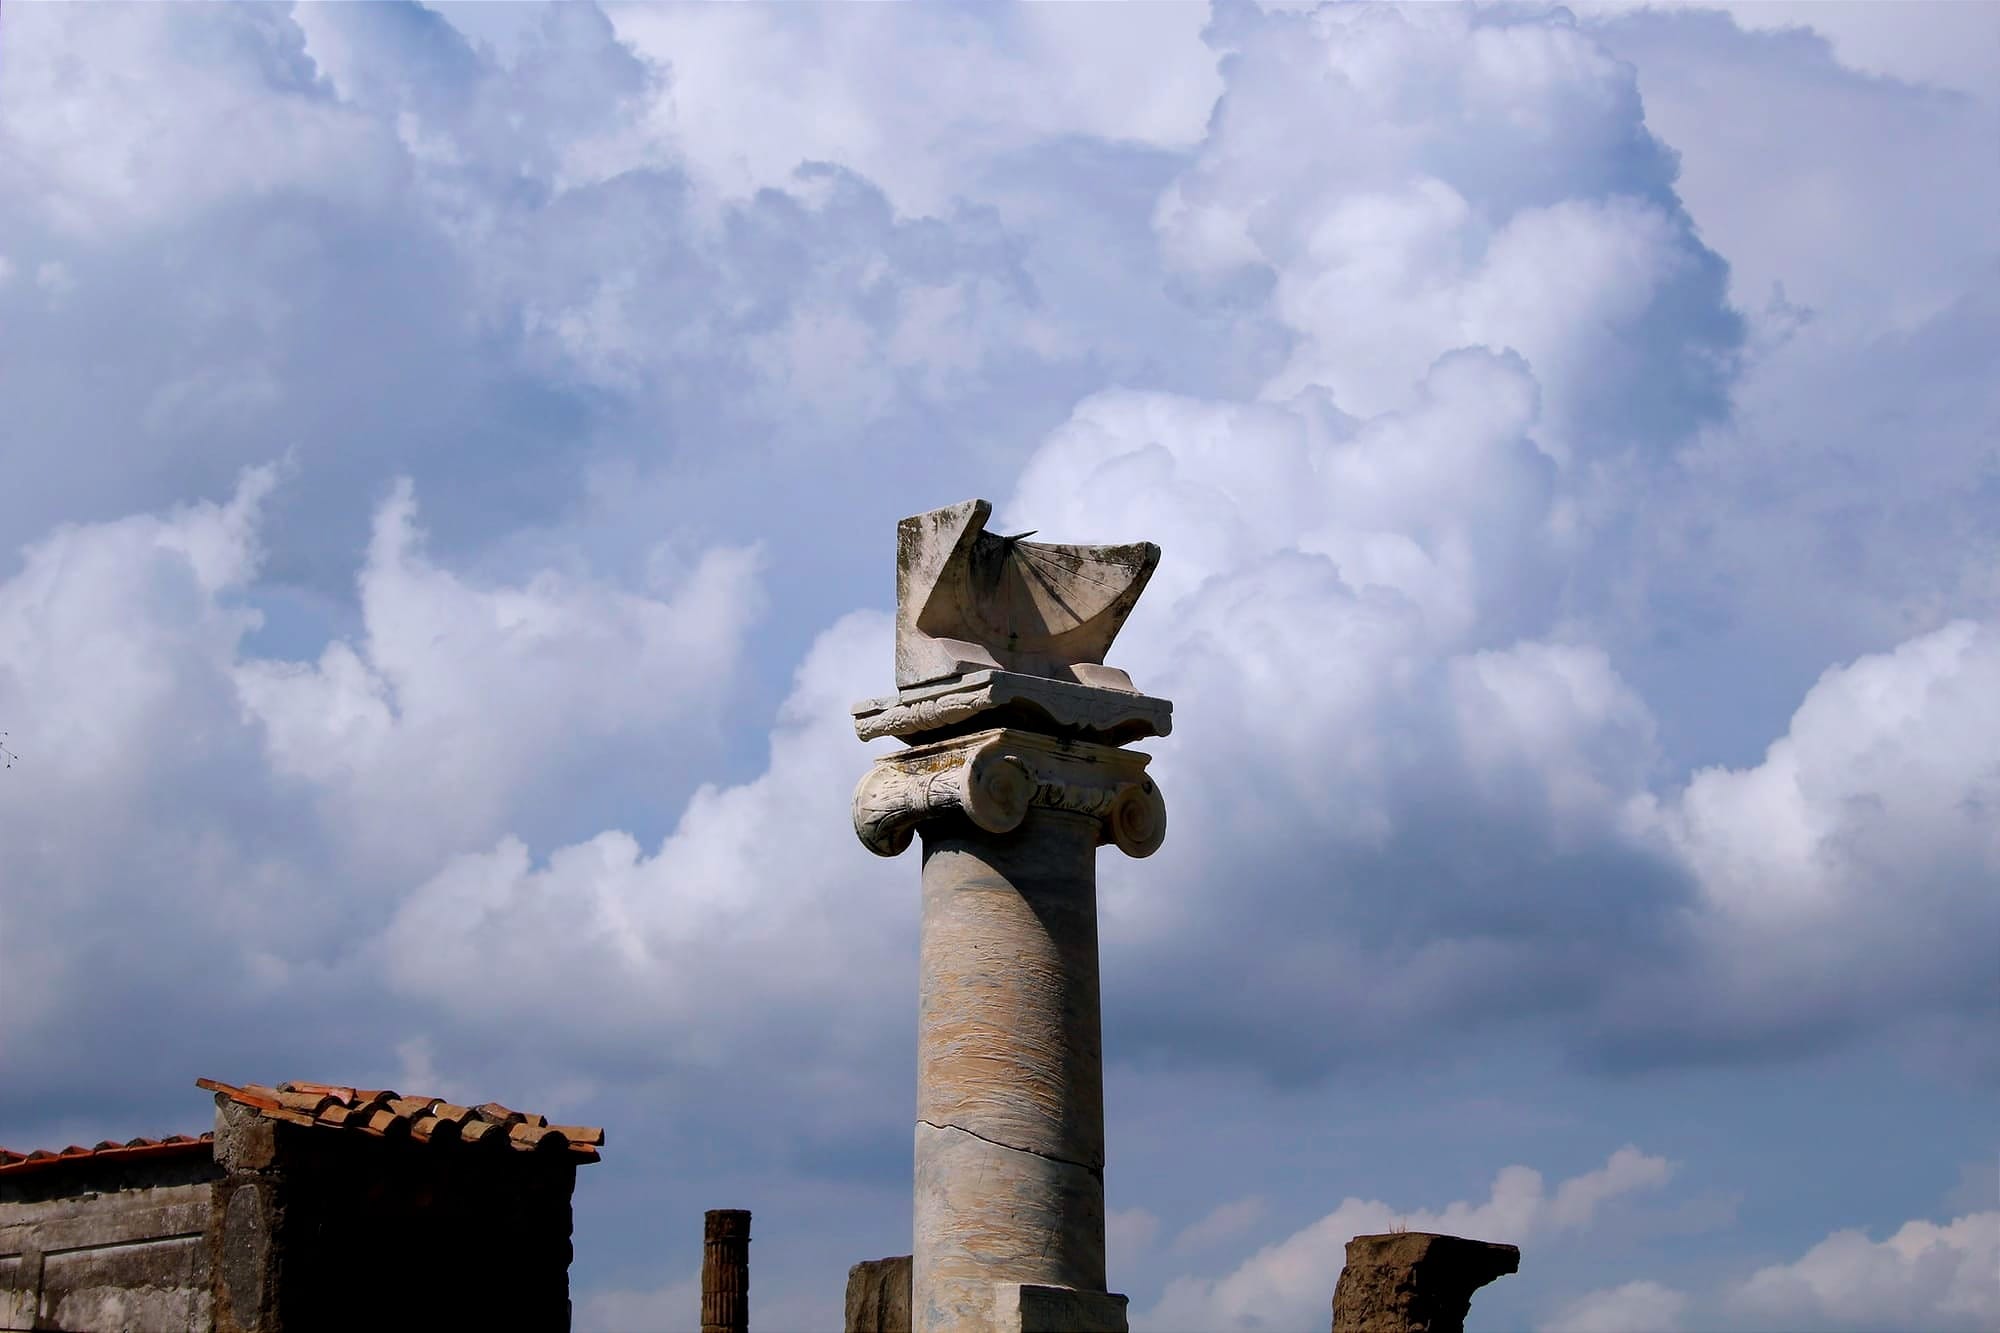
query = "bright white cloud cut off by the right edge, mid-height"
x=1885 y=778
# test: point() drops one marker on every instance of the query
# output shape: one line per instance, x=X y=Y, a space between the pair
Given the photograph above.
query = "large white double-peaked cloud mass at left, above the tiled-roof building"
x=201 y=828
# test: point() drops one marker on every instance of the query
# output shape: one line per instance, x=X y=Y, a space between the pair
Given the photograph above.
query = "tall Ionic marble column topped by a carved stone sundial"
x=1013 y=780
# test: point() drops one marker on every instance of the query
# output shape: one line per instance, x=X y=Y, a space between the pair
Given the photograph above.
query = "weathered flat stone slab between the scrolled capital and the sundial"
x=1011 y=700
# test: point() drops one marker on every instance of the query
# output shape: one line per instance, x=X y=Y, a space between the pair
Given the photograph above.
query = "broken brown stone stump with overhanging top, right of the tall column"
x=1415 y=1282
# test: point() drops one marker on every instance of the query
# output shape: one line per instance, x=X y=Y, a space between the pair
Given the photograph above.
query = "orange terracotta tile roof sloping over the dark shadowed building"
x=425 y=1120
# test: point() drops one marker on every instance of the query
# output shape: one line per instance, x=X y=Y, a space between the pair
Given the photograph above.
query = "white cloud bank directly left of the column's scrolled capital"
x=759 y=892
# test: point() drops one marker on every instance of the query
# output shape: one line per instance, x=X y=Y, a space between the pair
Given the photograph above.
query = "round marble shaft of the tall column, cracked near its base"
x=1011 y=1070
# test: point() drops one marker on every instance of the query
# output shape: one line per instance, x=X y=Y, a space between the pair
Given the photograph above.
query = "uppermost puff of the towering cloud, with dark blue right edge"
x=1427 y=179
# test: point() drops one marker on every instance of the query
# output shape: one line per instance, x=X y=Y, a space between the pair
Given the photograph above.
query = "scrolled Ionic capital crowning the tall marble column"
x=995 y=778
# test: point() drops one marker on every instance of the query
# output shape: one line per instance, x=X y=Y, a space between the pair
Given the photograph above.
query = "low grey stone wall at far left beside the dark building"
x=105 y=1246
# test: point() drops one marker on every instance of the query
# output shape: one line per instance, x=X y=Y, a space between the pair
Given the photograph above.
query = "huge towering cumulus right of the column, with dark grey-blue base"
x=1411 y=561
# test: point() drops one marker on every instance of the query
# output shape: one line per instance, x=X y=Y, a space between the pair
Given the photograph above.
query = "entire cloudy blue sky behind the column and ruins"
x=451 y=461
